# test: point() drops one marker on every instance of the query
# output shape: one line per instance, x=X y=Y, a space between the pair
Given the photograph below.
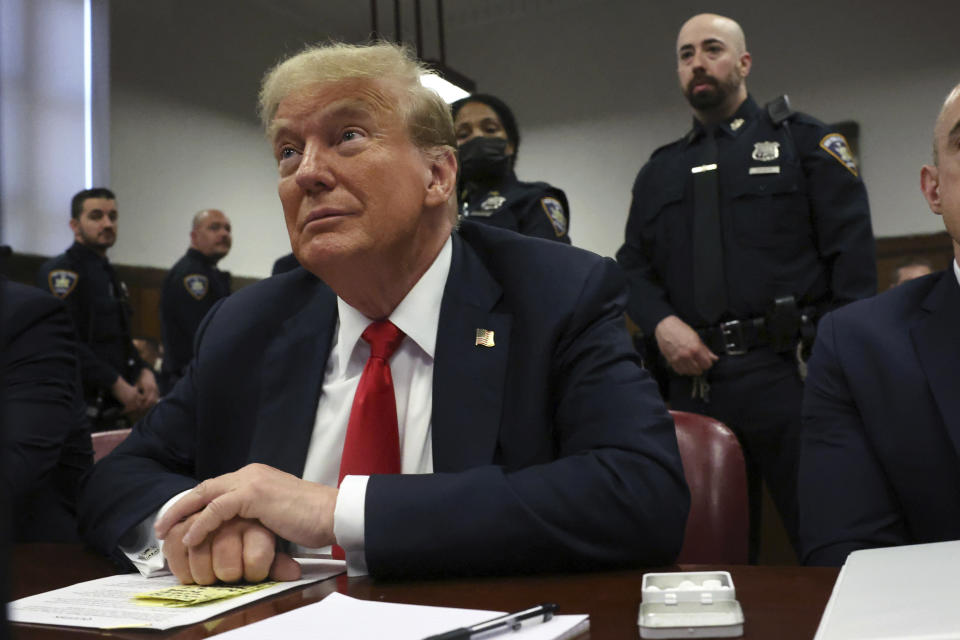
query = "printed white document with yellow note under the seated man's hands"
x=108 y=603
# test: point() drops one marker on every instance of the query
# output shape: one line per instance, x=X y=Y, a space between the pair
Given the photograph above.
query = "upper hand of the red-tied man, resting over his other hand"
x=294 y=509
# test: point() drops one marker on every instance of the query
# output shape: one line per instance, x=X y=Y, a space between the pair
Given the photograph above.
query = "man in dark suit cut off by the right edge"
x=881 y=415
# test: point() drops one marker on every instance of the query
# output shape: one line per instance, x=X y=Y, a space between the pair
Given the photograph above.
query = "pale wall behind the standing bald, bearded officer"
x=604 y=94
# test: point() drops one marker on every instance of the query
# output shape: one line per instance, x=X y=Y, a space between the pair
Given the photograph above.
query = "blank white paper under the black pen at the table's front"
x=340 y=616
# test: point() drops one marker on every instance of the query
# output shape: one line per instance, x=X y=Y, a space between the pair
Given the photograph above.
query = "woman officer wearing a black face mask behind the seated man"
x=489 y=191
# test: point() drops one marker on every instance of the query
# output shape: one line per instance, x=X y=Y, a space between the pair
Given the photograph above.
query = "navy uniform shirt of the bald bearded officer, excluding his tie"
x=794 y=215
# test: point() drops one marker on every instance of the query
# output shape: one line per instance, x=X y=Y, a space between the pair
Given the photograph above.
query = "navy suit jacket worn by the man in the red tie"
x=552 y=450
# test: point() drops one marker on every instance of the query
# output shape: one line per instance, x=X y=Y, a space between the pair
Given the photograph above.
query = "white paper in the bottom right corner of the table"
x=899 y=592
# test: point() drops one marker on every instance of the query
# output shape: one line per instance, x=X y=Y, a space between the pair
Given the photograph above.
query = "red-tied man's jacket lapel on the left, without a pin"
x=293 y=371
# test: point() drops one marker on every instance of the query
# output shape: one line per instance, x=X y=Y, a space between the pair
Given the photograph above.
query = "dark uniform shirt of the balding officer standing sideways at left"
x=190 y=289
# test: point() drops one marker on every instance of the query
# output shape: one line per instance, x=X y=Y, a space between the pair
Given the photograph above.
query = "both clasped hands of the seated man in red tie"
x=226 y=527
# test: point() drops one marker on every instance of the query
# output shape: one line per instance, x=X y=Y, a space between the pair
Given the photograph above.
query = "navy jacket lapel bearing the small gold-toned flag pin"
x=468 y=379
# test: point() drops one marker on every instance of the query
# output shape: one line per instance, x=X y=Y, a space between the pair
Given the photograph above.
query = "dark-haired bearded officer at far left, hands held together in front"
x=117 y=384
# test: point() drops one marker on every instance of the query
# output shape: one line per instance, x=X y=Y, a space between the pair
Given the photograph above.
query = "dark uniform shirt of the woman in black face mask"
x=531 y=208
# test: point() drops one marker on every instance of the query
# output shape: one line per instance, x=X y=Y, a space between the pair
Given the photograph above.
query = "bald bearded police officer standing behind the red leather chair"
x=740 y=234
